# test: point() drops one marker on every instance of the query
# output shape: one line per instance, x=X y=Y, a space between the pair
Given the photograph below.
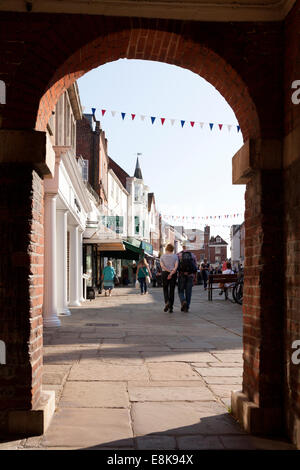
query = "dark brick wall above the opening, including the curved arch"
x=245 y=66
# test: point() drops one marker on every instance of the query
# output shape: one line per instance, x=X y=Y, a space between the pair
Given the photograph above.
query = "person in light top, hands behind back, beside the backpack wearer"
x=169 y=264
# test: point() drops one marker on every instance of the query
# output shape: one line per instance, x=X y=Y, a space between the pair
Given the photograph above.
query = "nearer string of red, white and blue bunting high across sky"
x=194 y=124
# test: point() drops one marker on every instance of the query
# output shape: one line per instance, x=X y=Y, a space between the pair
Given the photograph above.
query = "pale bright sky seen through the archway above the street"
x=188 y=169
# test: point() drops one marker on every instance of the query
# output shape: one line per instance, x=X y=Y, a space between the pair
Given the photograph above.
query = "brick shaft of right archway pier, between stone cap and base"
x=263 y=291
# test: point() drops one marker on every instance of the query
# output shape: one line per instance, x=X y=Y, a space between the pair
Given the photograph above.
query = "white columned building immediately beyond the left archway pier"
x=66 y=210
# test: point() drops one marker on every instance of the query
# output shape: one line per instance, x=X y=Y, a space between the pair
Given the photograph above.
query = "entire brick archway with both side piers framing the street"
x=44 y=54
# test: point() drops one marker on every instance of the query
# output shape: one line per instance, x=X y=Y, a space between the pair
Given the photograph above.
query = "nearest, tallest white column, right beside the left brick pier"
x=50 y=291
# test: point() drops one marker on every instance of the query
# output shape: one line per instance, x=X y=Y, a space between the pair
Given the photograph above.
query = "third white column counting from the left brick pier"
x=74 y=266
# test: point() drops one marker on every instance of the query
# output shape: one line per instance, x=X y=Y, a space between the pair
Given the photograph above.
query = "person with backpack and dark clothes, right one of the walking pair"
x=187 y=267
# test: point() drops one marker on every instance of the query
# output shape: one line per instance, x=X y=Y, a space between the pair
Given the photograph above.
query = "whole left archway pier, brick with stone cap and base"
x=24 y=407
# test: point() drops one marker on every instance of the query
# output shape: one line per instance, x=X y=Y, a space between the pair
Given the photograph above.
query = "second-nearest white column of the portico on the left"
x=61 y=262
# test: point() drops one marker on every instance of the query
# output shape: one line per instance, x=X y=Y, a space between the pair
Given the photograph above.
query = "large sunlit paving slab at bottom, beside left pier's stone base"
x=84 y=428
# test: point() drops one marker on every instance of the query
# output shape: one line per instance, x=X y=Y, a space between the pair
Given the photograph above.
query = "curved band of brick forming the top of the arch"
x=162 y=46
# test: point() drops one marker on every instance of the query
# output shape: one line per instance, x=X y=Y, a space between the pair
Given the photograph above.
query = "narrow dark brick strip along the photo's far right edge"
x=292 y=225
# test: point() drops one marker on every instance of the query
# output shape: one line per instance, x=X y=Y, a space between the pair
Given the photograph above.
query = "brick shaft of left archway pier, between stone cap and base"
x=21 y=285
